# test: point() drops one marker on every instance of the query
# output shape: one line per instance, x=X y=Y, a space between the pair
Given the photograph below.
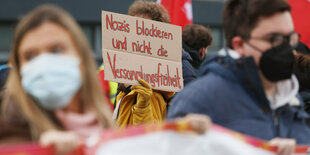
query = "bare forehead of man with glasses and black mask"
x=280 y=23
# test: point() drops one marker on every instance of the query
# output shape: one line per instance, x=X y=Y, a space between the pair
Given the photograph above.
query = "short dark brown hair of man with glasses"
x=241 y=16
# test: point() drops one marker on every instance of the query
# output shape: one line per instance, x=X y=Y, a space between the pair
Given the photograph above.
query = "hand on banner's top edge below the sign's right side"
x=198 y=122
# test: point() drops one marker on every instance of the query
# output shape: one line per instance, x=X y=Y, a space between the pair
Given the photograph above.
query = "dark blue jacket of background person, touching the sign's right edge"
x=189 y=73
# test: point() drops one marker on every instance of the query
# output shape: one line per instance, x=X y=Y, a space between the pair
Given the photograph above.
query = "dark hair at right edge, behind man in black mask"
x=301 y=70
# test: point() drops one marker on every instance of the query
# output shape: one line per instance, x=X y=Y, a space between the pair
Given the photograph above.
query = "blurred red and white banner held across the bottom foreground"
x=145 y=137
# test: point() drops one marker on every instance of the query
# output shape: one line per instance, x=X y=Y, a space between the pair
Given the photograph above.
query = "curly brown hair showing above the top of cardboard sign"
x=152 y=9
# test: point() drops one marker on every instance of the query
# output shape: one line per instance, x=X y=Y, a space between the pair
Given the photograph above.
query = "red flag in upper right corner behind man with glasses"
x=300 y=14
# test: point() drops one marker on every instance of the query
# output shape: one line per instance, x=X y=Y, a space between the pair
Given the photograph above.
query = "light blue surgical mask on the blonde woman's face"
x=52 y=79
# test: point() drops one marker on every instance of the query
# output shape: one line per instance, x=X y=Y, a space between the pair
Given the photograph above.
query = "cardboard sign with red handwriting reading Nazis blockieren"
x=134 y=48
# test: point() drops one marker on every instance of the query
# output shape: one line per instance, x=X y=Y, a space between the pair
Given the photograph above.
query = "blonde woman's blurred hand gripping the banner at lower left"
x=64 y=142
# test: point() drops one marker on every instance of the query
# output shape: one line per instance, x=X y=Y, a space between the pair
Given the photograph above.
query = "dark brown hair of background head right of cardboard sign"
x=197 y=36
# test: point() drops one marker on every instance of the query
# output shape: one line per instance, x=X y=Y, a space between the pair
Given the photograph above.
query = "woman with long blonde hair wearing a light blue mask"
x=53 y=95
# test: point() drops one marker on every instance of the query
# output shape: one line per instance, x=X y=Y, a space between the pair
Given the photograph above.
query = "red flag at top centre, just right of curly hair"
x=180 y=11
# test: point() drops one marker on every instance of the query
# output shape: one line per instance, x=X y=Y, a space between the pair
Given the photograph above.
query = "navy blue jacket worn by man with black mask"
x=230 y=92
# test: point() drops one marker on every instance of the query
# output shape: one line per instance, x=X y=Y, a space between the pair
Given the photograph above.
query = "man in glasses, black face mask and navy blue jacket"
x=249 y=86
